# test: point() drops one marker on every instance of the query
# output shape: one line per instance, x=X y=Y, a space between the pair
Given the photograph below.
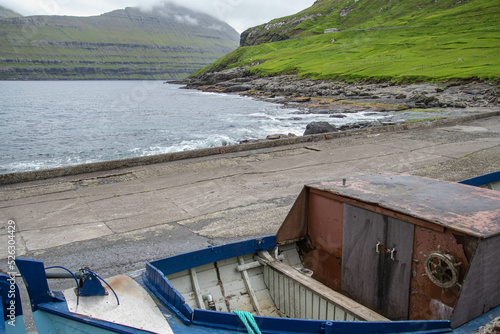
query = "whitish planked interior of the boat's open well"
x=265 y=285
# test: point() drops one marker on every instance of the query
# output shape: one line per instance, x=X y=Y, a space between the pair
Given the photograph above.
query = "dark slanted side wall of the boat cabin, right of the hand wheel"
x=481 y=287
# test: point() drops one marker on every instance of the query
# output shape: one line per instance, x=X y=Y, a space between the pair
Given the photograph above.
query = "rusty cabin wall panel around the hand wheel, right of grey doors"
x=427 y=300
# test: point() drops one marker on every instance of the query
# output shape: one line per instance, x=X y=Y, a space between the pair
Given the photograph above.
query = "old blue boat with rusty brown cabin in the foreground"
x=383 y=253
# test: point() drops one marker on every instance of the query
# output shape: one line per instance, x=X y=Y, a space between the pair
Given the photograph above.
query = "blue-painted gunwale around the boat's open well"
x=156 y=280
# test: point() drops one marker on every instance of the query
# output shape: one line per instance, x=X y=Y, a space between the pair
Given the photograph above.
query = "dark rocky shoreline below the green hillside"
x=412 y=102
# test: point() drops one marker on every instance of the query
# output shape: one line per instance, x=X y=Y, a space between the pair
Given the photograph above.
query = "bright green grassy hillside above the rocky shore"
x=412 y=40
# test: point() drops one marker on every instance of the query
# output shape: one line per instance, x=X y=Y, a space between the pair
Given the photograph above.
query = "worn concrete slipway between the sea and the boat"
x=115 y=220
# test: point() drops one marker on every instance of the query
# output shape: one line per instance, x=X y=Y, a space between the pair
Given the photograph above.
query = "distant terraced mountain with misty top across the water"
x=169 y=42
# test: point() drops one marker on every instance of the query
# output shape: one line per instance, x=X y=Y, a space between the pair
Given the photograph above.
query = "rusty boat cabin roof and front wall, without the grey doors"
x=450 y=218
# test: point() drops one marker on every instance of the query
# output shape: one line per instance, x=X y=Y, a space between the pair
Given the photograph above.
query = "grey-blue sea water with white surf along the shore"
x=47 y=124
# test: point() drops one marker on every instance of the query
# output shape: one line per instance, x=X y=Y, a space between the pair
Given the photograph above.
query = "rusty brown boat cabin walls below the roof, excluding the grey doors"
x=317 y=220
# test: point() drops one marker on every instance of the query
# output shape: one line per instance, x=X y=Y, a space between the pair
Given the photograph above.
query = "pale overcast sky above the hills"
x=240 y=14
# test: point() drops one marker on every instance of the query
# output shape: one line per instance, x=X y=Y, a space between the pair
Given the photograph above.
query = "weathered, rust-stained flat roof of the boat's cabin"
x=463 y=208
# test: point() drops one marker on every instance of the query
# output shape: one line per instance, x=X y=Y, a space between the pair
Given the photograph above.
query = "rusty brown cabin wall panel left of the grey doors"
x=323 y=253
